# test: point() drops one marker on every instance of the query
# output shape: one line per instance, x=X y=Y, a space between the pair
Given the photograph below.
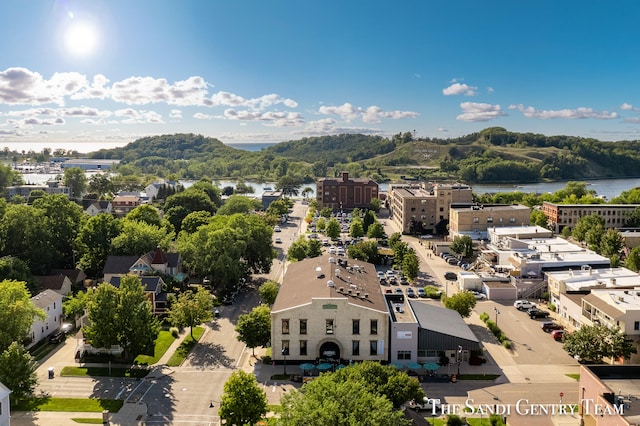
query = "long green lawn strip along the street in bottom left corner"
x=87 y=405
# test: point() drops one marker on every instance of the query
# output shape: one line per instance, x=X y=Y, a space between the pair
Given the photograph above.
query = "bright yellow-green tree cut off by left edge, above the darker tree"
x=17 y=313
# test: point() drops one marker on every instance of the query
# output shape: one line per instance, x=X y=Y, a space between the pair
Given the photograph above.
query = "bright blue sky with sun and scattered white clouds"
x=110 y=71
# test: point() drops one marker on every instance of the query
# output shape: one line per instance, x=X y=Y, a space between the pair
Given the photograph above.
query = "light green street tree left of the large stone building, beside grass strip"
x=191 y=309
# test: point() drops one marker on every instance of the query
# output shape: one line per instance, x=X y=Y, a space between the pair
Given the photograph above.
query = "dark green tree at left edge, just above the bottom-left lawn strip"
x=18 y=371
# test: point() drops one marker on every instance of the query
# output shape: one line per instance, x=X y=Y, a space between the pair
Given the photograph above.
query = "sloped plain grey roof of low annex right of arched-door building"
x=442 y=320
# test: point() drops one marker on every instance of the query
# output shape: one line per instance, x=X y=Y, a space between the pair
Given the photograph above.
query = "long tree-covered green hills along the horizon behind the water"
x=492 y=155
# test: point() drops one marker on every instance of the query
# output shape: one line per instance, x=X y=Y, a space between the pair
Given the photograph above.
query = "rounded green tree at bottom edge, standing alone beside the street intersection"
x=244 y=402
